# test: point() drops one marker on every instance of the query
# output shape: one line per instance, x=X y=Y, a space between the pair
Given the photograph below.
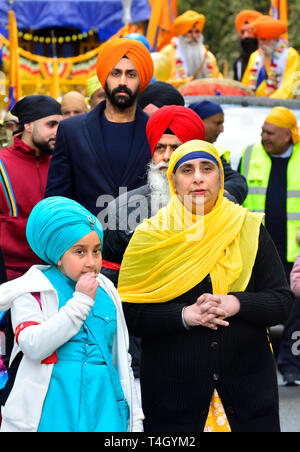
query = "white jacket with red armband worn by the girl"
x=22 y=411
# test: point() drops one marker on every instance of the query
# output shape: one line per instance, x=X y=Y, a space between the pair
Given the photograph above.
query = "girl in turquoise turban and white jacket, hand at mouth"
x=70 y=330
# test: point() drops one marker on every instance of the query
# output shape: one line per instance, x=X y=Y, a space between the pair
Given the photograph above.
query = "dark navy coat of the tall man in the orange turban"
x=79 y=167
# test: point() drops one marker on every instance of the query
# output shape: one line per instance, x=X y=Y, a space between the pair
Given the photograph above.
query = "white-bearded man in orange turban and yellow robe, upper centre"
x=189 y=56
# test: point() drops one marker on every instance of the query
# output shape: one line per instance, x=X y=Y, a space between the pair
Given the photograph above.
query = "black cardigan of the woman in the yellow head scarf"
x=180 y=368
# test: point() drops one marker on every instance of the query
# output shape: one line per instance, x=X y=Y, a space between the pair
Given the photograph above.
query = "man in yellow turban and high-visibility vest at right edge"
x=271 y=170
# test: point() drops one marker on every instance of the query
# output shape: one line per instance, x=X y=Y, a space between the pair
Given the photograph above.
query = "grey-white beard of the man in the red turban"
x=159 y=187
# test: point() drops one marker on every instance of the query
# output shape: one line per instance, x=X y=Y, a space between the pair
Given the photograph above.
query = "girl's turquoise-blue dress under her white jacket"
x=85 y=394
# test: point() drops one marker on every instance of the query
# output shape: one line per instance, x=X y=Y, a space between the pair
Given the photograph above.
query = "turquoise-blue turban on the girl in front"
x=57 y=223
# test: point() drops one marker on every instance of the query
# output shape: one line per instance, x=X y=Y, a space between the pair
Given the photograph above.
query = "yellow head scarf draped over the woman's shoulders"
x=168 y=255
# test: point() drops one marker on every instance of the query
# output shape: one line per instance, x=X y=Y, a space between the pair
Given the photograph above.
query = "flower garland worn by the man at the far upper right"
x=275 y=72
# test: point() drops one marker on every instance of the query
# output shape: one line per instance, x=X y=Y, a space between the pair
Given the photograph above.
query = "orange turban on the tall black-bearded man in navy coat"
x=114 y=50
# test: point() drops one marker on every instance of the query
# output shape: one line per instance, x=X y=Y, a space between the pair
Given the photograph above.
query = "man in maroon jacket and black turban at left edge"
x=23 y=175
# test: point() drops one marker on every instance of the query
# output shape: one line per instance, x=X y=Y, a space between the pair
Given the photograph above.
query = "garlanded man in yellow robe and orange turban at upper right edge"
x=272 y=69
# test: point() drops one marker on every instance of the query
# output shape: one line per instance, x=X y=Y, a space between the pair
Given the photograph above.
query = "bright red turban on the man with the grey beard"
x=183 y=122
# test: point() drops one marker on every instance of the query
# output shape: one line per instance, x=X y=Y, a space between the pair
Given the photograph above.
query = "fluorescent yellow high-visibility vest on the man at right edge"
x=256 y=167
